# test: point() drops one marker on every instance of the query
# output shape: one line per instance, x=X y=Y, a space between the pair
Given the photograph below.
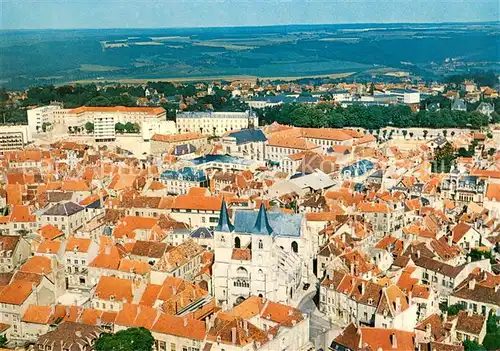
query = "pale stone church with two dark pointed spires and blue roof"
x=262 y=253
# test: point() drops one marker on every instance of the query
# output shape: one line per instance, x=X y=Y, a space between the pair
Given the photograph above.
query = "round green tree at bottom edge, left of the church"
x=132 y=339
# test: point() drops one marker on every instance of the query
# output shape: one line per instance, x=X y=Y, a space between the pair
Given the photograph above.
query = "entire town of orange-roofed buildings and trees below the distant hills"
x=251 y=215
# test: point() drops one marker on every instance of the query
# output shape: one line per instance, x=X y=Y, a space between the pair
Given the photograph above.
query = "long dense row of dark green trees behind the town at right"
x=372 y=117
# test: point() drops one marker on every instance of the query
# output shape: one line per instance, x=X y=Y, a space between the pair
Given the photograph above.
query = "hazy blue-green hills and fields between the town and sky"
x=33 y=57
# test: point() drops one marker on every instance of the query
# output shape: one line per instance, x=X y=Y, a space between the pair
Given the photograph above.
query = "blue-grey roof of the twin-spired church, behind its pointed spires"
x=282 y=224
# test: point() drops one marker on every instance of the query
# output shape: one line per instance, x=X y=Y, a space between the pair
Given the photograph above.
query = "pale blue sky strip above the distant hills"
x=37 y=14
